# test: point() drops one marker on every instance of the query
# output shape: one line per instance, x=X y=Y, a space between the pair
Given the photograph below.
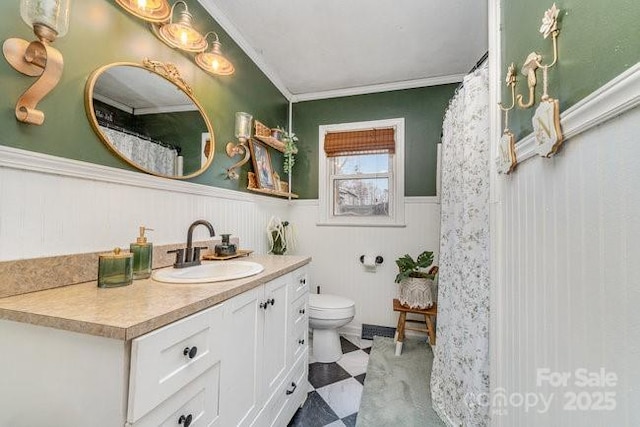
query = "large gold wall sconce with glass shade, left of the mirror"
x=49 y=20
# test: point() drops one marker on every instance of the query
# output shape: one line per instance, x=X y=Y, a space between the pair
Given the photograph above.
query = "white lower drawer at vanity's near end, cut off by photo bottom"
x=196 y=402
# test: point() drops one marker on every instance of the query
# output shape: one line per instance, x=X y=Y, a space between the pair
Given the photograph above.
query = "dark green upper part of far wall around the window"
x=423 y=110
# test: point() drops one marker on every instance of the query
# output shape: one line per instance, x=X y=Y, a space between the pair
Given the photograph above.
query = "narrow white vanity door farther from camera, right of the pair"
x=274 y=365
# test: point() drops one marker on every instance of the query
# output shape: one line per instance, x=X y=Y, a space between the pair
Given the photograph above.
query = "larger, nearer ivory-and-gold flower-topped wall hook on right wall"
x=546 y=120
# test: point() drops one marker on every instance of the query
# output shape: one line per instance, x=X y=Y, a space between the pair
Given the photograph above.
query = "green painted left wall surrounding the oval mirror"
x=100 y=32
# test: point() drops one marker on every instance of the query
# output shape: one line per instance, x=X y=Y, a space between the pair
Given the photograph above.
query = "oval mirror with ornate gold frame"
x=148 y=116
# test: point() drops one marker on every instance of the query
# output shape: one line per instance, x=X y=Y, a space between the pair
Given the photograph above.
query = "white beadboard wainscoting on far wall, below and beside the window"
x=336 y=251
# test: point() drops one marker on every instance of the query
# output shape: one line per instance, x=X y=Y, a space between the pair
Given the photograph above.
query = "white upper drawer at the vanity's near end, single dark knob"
x=165 y=360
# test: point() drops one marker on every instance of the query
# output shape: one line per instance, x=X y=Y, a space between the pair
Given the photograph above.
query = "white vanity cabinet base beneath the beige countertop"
x=241 y=362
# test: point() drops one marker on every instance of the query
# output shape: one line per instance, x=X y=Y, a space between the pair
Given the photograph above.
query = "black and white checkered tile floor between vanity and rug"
x=335 y=388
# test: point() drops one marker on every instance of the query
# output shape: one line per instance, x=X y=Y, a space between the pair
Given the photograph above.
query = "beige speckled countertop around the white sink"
x=127 y=312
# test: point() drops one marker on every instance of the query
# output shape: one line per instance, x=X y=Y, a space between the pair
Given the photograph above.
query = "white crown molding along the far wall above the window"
x=383 y=87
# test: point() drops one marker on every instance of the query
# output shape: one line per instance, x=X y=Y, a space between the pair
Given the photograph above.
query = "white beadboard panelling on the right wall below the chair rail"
x=570 y=262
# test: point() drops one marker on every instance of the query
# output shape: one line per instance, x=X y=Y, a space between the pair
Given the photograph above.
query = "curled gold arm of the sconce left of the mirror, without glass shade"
x=33 y=59
